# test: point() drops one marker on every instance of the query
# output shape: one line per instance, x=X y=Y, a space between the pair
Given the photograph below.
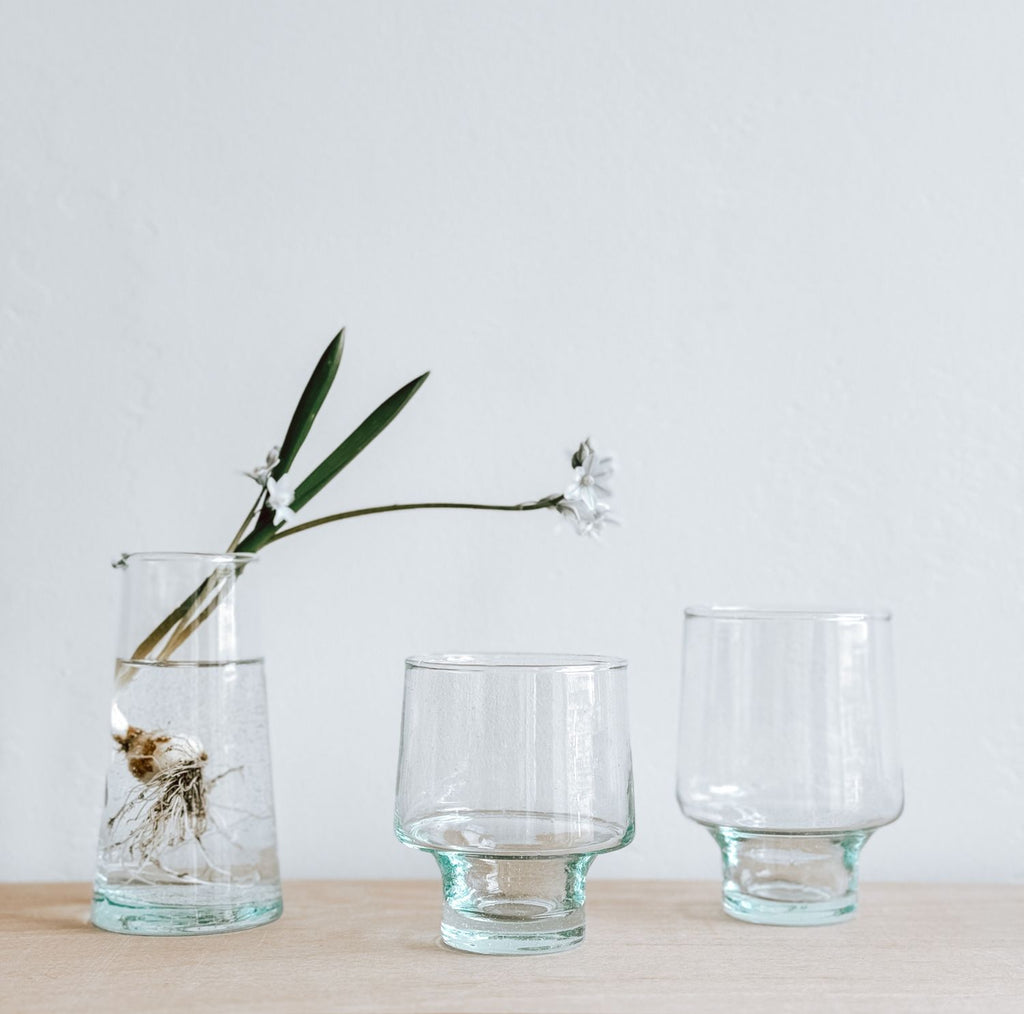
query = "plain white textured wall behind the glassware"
x=769 y=253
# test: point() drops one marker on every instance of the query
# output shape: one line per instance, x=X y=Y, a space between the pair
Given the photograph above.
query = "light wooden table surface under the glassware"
x=651 y=947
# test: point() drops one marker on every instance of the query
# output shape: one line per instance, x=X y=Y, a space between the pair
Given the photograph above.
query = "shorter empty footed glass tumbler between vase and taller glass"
x=515 y=774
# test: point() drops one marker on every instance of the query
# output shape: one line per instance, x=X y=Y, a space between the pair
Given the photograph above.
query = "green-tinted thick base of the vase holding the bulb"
x=148 y=911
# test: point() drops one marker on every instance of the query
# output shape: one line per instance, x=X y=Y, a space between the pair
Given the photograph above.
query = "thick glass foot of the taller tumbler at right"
x=790 y=879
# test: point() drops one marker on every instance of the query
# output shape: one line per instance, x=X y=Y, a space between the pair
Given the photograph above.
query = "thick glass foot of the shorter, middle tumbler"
x=513 y=907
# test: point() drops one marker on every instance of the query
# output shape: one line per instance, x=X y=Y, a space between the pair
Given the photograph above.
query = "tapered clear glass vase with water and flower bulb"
x=188 y=840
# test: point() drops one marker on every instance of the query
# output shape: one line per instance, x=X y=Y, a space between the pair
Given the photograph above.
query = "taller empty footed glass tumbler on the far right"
x=789 y=753
